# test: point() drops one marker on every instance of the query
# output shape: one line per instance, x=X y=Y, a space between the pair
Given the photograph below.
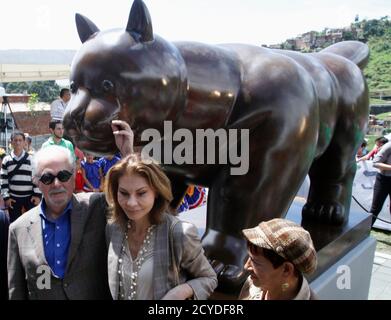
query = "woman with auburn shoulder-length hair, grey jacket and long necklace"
x=152 y=254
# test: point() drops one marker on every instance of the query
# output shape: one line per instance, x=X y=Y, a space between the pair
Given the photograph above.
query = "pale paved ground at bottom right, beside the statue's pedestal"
x=380 y=288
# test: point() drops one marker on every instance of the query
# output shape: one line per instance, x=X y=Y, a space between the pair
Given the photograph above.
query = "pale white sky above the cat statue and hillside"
x=49 y=24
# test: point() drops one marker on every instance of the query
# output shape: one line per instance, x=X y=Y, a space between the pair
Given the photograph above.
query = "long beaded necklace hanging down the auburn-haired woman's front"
x=137 y=262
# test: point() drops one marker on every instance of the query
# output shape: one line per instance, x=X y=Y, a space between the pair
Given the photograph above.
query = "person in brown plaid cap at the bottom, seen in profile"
x=280 y=253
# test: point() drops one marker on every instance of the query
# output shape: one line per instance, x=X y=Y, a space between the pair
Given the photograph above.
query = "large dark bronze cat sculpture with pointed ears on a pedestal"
x=306 y=113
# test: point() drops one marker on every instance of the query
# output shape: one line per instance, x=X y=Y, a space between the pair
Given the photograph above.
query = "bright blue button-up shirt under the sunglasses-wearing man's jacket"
x=56 y=239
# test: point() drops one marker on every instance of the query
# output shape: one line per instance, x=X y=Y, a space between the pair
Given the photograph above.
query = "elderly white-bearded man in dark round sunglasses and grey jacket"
x=57 y=250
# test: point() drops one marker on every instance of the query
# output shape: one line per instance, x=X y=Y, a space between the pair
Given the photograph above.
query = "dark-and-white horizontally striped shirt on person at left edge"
x=17 y=184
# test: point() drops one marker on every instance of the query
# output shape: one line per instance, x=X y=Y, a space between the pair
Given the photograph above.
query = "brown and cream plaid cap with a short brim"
x=287 y=239
